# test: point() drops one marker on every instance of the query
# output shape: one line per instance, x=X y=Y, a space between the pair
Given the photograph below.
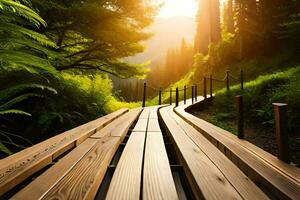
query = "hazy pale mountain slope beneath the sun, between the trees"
x=168 y=34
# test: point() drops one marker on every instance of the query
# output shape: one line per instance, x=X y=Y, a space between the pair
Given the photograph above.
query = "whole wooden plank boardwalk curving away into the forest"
x=159 y=152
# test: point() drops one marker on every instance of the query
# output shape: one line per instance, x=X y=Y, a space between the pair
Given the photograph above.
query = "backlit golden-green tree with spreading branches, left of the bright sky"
x=97 y=35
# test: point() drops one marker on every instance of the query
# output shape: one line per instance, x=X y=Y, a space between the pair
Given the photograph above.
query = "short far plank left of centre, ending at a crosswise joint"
x=119 y=126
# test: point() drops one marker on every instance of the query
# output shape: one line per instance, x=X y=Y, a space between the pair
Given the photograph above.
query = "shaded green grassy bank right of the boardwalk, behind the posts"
x=259 y=94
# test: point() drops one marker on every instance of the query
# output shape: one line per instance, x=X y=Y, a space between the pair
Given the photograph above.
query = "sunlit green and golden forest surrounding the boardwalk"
x=58 y=60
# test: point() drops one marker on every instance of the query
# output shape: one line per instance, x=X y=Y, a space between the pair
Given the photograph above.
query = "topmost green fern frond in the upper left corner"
x=23 y=11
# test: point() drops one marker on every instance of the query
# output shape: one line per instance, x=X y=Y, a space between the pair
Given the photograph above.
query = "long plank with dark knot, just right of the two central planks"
x=206 y=179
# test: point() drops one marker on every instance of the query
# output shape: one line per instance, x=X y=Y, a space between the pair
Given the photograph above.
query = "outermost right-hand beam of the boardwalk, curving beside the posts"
x=274 y=177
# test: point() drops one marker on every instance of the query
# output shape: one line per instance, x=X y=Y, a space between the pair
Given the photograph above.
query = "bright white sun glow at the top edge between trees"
x=172 y=8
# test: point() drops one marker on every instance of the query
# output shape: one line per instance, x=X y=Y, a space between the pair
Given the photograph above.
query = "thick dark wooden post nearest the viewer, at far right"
x=282 y=138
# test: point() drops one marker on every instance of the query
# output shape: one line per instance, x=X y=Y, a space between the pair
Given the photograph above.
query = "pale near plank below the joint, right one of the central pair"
x=158 y=182
